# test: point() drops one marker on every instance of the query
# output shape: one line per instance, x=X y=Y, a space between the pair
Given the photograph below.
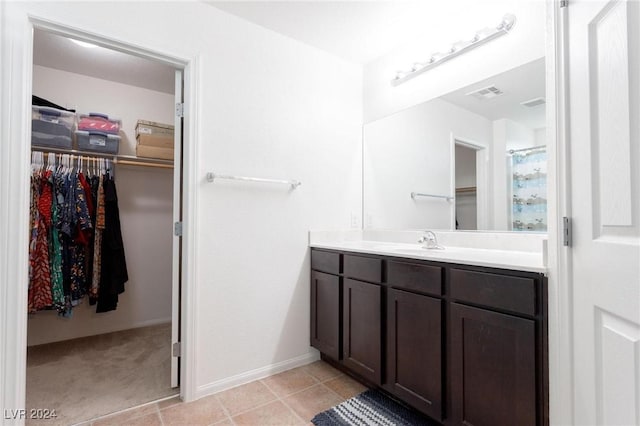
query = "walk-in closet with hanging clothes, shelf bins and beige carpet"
x=101 y=296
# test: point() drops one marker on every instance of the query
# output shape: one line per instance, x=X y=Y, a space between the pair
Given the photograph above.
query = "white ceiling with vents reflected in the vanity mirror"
x=519 y=84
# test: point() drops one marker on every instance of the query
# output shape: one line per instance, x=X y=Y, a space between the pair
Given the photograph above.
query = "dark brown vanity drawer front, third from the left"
x=411 y=276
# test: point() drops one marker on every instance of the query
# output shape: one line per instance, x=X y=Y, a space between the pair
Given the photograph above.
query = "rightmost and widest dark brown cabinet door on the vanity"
x=493 y=370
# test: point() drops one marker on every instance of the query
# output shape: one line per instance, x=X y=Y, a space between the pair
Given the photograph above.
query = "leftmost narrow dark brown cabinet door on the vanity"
x=325 y=313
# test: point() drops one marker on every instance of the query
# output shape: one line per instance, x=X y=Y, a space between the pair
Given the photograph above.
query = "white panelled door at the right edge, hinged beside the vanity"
x=604 y=117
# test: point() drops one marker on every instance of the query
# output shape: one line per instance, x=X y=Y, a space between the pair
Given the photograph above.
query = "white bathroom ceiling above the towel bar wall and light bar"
x=361 y=31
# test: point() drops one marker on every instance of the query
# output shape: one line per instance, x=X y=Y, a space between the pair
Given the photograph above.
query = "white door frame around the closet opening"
x=15 y=112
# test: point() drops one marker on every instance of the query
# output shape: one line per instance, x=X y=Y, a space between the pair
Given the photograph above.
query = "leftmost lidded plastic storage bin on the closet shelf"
x=51 y=127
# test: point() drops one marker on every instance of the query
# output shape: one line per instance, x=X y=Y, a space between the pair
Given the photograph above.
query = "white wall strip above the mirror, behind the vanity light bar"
x=523 y=44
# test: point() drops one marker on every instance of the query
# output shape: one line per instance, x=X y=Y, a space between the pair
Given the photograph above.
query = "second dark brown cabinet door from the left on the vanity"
x=362 y=329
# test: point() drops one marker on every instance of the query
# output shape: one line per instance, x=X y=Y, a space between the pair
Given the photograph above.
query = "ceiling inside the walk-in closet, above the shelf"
x=53 y=51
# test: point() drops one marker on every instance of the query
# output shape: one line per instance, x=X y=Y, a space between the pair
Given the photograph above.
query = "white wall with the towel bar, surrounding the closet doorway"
x=264 y=106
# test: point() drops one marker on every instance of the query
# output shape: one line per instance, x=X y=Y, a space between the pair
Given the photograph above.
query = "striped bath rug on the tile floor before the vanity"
x=371 y=408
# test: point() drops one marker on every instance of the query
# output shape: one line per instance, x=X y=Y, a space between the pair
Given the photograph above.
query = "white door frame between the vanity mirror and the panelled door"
x=560 y=290
